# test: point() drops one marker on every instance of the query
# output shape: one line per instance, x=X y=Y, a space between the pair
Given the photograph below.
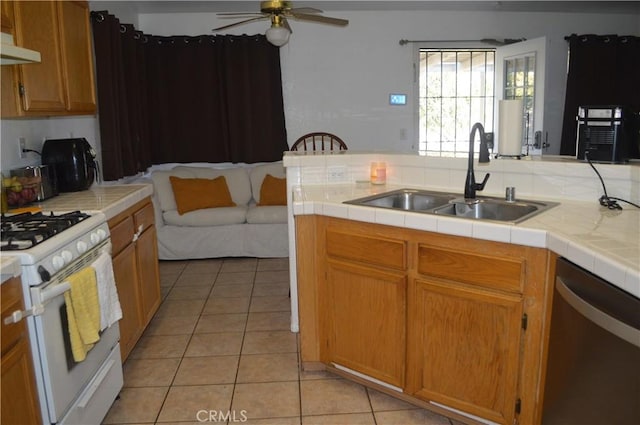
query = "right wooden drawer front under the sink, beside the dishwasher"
x=476 y=269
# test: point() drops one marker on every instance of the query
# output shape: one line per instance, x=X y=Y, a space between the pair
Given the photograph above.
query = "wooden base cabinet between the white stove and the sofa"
x=135 y=266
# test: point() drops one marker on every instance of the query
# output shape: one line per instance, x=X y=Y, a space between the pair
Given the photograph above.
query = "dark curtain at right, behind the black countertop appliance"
x=603 y=70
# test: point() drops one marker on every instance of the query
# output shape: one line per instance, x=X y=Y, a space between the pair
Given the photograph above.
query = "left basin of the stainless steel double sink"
x=406 y=199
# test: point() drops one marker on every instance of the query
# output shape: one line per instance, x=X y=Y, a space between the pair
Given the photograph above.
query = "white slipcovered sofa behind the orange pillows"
x=244 y=230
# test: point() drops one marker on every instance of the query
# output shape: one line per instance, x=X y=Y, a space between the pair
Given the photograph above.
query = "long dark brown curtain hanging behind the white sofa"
x=185 y=99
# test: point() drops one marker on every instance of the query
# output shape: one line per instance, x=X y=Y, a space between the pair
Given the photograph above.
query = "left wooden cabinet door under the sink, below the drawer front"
x=366 y=320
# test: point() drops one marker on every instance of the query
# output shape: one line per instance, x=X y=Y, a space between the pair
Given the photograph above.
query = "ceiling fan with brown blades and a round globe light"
x=278 y=12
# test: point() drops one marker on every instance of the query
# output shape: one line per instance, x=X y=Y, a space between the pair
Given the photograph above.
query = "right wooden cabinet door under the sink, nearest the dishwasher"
x=464 y=348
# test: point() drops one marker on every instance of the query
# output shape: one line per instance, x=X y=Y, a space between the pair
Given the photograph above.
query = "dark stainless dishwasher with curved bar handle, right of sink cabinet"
x=593 y=370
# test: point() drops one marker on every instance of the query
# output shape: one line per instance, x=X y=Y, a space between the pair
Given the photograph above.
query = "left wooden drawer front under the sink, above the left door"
x=372 y=250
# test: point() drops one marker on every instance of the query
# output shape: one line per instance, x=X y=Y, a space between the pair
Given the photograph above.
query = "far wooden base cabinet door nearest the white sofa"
x=147 y=256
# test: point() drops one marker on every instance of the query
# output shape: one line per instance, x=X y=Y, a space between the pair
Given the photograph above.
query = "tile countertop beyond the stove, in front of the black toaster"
x=110 y=199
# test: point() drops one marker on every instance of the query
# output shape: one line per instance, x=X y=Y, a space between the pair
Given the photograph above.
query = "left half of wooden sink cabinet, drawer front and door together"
x=365 y=295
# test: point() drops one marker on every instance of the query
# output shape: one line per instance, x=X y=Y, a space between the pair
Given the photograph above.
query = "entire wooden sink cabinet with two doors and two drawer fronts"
x=454 y=323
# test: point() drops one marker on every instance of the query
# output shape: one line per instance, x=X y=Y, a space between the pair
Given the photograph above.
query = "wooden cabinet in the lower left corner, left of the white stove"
x=19 y=394
